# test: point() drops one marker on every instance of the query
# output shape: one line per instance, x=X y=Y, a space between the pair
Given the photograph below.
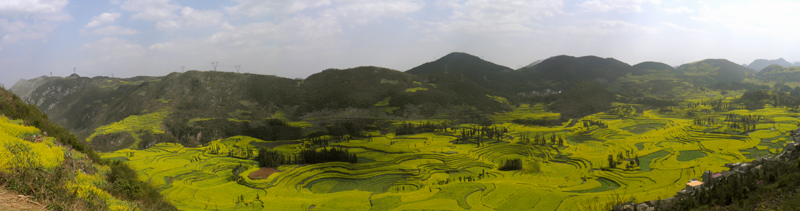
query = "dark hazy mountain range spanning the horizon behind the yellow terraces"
x=439 y=87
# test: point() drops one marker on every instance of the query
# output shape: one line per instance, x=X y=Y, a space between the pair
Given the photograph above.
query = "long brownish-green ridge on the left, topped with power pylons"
x=195 y=107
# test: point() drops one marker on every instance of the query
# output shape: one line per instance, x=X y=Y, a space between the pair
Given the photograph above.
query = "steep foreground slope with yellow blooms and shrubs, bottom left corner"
x=44 y=161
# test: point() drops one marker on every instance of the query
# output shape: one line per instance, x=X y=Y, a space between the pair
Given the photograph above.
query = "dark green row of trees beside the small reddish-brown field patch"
x=271 y=158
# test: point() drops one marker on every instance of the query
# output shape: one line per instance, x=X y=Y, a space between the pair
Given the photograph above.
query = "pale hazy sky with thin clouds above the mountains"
x=299 y=38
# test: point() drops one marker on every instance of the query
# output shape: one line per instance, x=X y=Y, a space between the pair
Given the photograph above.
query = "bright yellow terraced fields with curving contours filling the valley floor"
x=434 y=171
